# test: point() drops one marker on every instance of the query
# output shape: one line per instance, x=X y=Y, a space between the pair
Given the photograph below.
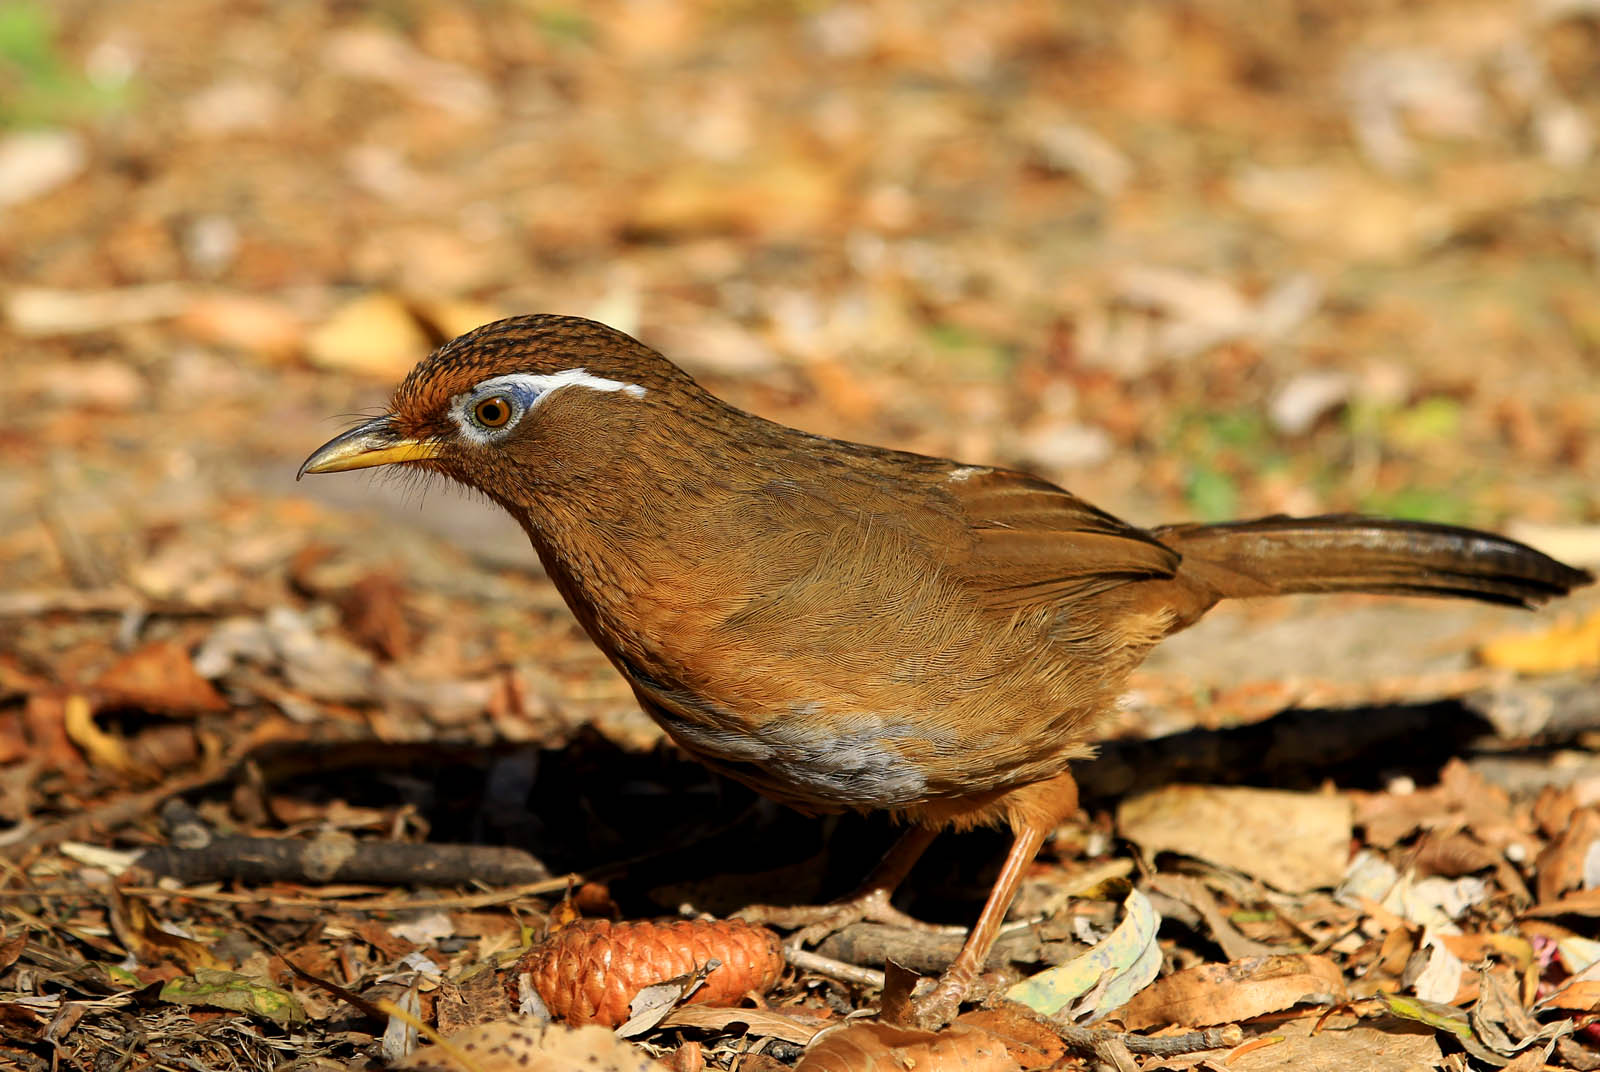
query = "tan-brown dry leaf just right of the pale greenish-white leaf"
x=1225 y=994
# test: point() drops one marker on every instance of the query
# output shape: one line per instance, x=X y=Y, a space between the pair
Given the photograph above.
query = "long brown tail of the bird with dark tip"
x=1346 y=553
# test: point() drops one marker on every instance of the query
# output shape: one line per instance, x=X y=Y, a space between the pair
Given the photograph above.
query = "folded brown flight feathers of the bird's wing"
x=1034 y=543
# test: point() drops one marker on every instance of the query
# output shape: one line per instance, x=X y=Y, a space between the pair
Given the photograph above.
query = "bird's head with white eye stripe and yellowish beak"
x=518 y=406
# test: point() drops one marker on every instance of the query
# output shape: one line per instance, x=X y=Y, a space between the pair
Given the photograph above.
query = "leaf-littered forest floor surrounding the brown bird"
x=1193 y=260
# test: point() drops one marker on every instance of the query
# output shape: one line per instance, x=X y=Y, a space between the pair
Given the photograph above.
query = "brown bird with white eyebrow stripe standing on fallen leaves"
x=844 y=626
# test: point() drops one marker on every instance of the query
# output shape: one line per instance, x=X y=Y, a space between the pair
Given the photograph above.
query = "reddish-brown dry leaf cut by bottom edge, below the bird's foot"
x=878 y=1047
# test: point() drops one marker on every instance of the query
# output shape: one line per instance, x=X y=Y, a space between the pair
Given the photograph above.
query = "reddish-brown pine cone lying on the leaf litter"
x=590 y=972
